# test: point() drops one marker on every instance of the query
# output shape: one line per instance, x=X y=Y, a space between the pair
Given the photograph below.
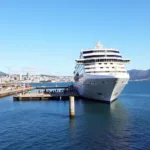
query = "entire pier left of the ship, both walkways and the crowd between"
x=48 y=92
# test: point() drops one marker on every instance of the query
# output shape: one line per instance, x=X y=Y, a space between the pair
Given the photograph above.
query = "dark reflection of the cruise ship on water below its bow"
x=100 y=125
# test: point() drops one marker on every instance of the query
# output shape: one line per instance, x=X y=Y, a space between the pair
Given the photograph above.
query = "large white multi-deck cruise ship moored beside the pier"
x=100 y=73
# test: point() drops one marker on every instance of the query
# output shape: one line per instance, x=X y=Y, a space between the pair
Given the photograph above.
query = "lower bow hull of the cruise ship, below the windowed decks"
x=104 y=88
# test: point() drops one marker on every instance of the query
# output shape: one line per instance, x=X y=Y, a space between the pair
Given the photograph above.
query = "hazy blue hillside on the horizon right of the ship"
x=139 y=74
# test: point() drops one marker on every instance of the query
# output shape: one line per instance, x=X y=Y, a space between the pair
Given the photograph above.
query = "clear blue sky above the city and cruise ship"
x=46 y=36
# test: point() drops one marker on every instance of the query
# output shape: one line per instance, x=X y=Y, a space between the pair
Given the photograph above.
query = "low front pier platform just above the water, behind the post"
x=43 y=96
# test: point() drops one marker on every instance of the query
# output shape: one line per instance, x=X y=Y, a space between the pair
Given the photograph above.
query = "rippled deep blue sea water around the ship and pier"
x=123 y=125
